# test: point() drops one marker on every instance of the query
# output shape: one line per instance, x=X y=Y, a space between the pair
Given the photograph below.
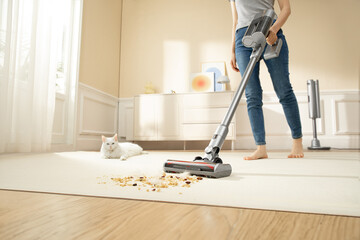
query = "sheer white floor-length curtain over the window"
x=28 y=53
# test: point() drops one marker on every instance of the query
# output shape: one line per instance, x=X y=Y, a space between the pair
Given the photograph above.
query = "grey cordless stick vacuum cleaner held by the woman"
x=211 y=164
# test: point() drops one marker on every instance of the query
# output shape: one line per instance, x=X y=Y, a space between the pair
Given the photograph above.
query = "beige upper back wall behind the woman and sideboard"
x=163 y=41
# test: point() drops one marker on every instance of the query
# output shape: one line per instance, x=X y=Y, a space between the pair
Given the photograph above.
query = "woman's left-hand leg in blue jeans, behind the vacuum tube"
x=253 y=92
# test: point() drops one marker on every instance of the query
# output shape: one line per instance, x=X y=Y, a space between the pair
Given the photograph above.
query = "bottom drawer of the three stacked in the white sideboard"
x=205 y=131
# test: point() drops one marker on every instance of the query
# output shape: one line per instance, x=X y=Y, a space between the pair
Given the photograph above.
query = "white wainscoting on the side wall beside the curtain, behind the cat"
x=97 y=115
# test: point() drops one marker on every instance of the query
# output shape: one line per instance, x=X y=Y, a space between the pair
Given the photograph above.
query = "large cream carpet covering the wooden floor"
x=322 y=182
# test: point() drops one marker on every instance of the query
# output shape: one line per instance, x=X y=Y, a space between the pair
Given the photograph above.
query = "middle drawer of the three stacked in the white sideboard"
x=204 y=115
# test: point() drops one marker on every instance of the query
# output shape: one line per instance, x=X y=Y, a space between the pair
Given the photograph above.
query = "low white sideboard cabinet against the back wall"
x=185 y=116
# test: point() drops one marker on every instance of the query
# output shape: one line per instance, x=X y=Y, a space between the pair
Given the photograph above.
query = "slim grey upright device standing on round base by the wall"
x=314 y=112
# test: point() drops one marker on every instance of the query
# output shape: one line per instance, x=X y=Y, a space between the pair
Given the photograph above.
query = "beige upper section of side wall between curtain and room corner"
x=100 y=45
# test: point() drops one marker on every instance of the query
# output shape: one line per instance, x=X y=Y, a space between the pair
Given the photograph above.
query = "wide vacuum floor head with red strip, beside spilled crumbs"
x=199 y=168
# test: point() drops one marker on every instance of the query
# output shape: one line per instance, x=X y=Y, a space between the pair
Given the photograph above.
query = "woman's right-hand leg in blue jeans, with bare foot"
x=279 y=72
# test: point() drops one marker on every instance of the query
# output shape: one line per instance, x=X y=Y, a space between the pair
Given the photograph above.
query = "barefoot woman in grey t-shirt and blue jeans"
x=243 y=12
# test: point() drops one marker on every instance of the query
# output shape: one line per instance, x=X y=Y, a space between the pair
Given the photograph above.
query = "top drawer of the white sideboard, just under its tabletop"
x=217 y=99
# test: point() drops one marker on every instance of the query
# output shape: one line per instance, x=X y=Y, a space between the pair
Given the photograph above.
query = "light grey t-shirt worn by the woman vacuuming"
x=247 y=9
